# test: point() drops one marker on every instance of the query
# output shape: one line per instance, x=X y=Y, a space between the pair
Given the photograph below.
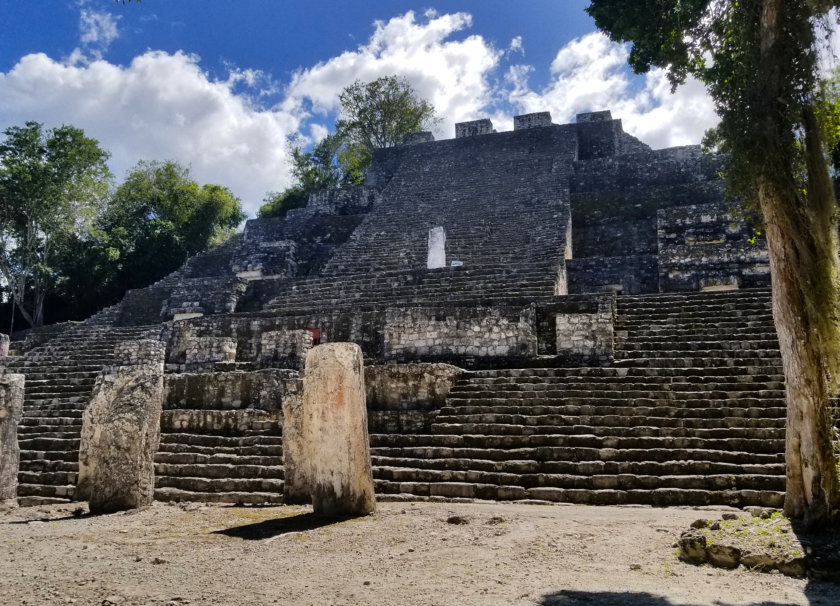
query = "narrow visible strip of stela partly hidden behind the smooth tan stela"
x=295 y=483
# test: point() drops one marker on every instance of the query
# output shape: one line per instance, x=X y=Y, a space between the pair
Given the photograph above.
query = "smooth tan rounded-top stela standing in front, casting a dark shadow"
x=335 y=435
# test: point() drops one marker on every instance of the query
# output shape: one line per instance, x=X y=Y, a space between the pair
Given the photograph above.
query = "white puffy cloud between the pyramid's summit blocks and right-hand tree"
x=590 y=73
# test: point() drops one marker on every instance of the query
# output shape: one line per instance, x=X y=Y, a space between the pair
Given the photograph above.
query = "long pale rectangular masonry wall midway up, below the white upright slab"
x=455 y=333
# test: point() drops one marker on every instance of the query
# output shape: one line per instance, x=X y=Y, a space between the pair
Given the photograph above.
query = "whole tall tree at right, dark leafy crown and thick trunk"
x=758 y=60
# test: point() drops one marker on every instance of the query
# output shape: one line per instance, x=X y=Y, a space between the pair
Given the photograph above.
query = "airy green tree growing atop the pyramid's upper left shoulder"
x=380 y=113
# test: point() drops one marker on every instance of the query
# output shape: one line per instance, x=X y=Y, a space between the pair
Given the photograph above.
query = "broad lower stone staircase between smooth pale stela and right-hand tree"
x=691 y=412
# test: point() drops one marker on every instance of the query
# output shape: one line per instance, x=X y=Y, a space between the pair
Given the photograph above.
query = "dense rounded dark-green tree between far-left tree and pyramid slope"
x=159 y=217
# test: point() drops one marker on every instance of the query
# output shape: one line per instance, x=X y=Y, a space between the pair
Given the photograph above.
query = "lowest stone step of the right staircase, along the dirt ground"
x=658 y=497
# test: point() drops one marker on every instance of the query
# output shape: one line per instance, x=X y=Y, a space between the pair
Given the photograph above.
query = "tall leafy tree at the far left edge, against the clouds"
x=51 y=185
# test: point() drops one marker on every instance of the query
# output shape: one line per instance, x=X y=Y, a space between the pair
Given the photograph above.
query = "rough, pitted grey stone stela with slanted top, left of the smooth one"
x=120 y=436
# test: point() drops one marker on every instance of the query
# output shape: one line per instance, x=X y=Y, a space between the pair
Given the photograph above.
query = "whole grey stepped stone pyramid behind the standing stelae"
x=555 y=312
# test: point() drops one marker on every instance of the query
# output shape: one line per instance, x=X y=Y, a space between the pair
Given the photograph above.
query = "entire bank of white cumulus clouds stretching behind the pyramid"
x=164 y=106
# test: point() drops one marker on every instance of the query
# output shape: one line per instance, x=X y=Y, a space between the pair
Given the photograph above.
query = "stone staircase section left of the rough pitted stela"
x=60 y=376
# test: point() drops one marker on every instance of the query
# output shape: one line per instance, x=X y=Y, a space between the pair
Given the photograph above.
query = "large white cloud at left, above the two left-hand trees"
x=161 y=106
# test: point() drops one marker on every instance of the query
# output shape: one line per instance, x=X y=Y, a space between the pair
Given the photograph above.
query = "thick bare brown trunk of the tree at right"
x=802 y=241
